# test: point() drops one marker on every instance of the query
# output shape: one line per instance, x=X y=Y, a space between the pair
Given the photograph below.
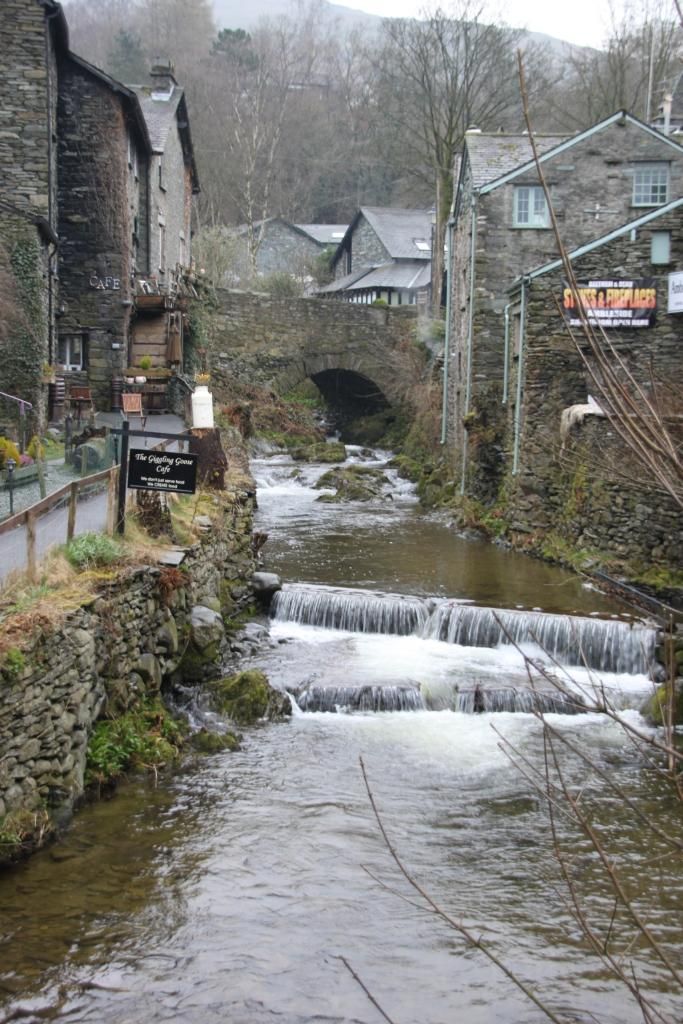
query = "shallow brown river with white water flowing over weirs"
x=252 y=887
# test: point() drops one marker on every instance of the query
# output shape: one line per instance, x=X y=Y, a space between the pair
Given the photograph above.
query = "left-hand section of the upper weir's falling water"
x=352 y=611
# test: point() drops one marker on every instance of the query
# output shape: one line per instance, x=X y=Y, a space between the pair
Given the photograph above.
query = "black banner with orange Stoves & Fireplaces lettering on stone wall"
x=613 y=304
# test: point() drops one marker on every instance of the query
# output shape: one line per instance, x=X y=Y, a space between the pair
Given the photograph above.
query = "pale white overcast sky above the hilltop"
x=582 y=22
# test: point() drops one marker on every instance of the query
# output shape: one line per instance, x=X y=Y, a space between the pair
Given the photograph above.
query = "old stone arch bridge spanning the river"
x=362 y=355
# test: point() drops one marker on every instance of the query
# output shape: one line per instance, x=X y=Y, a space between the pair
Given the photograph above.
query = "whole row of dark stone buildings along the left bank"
x=97 y=185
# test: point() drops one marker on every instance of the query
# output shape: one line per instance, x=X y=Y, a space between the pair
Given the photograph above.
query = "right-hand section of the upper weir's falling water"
x=607 y=646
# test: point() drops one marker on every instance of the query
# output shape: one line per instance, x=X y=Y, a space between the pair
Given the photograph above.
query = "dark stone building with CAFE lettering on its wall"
x=104 y=157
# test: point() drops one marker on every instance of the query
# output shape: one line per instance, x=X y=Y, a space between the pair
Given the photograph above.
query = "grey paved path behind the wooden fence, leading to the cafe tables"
x=92 y=514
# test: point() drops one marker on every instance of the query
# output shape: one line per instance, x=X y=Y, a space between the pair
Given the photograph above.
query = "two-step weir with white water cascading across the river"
x=417 y=676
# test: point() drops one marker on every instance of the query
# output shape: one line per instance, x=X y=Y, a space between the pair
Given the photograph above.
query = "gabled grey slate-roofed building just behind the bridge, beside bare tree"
x=386 y=254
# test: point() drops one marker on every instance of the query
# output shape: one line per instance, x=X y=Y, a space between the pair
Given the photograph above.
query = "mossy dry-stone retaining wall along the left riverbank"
x=120 y=647
